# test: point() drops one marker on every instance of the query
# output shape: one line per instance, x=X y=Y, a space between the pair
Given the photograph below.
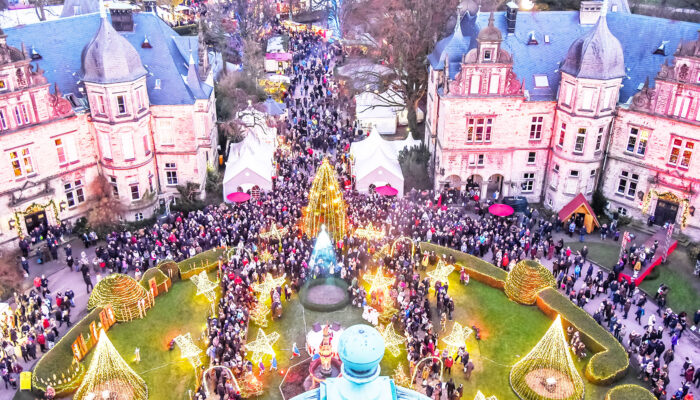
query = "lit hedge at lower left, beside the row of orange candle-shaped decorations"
x=59 y=359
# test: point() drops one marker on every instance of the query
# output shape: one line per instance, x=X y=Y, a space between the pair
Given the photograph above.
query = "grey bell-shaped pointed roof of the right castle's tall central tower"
x=596 y=55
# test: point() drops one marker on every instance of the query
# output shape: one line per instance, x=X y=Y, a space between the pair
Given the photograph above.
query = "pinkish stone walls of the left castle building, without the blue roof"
x=56 y=148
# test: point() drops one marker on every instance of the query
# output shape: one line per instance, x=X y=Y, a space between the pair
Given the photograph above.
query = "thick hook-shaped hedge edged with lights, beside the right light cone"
x=610 y=361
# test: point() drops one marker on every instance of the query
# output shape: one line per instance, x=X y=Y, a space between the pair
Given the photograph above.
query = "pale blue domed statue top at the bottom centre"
x=361 y=348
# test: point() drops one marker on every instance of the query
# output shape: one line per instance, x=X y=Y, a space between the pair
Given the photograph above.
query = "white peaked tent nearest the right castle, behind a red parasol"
x=376 y=163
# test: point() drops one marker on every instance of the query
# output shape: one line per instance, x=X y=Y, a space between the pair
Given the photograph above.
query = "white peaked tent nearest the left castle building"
x=249 y=164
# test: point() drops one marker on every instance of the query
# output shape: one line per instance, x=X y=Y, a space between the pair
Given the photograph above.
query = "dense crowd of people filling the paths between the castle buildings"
x=318 y=126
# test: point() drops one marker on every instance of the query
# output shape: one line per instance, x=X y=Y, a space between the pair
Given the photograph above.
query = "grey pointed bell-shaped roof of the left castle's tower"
x=109 y=57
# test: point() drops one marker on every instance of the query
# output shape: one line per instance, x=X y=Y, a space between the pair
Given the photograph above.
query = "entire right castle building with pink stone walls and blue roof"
x=547 y=105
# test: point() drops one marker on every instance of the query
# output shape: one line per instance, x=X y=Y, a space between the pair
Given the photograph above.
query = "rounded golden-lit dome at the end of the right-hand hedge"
x=526 y=280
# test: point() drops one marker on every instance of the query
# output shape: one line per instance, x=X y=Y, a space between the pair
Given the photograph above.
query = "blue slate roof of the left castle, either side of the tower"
x=60 y=43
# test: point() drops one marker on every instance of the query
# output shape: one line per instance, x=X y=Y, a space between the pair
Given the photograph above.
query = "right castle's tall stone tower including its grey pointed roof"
x=591 y=76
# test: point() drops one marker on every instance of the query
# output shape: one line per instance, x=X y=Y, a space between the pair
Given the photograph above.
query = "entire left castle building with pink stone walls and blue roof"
x=117 y=99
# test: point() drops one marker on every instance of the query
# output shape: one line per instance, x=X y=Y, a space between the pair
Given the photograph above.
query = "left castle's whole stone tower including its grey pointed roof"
x=115 y=83
